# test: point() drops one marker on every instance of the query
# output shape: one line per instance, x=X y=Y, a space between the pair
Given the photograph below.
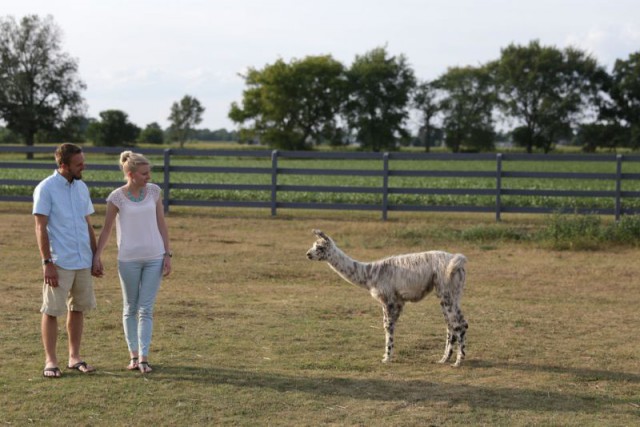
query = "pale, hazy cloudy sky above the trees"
x=141 y=56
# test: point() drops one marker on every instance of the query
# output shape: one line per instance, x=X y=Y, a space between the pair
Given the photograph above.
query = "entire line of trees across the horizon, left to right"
x=539 y=95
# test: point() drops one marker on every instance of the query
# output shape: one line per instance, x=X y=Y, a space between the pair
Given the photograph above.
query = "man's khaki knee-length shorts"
x=73 y=293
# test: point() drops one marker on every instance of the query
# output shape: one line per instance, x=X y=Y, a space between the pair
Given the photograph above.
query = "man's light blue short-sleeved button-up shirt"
x=66 y=204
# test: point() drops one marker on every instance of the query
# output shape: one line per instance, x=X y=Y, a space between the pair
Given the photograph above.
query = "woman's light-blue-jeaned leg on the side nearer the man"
x=130 y=276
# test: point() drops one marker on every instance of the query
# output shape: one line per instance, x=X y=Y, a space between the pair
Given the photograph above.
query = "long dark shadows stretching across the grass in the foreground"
x=411 y=391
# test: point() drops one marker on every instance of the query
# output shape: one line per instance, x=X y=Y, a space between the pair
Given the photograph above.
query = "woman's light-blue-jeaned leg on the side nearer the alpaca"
x=149 y=286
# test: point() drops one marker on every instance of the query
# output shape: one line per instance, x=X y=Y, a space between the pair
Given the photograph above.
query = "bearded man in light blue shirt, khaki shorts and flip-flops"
x=61 y=207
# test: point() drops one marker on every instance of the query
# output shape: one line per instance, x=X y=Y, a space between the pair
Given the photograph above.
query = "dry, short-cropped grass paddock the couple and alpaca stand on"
x=249 y=332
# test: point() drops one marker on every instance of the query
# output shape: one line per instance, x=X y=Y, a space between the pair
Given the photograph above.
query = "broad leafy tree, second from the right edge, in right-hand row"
x=546 y=90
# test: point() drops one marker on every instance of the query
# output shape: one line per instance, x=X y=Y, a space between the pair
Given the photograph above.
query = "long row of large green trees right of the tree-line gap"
x=545 y=94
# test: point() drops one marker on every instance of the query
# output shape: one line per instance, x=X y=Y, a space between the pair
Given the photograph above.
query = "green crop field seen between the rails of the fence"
x=371 y=198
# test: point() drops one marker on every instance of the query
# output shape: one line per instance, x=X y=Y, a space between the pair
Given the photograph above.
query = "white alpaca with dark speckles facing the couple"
x=395 y=280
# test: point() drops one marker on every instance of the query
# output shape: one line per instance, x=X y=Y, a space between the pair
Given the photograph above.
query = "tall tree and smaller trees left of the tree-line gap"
x=41 y=100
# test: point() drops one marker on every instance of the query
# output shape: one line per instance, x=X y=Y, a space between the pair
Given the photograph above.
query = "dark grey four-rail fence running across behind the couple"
x=383 y=174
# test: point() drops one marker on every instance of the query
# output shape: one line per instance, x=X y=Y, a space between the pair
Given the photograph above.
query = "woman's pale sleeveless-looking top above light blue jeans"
x=138 y=236
